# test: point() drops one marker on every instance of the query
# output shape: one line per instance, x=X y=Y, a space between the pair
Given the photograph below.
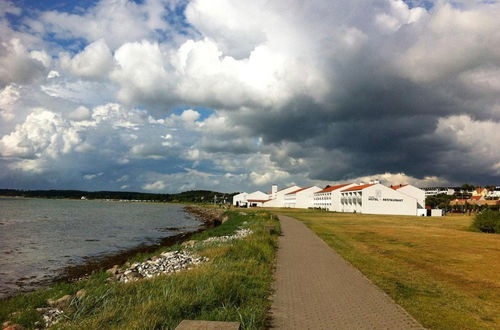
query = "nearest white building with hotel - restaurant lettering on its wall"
x=375 y=198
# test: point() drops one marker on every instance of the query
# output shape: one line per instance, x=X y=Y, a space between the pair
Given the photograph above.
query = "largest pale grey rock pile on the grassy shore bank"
x=167 y=262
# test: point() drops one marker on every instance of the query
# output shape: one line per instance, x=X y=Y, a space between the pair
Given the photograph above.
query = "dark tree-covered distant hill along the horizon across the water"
x=203 y=196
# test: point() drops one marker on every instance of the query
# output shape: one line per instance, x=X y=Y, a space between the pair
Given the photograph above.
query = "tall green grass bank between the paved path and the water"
x=233 y=286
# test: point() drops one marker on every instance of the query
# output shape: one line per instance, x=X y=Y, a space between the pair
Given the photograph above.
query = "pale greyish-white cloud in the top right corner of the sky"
x=453 y=41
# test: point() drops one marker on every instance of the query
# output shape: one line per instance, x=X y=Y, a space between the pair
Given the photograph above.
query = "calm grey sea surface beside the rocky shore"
x=39 y=237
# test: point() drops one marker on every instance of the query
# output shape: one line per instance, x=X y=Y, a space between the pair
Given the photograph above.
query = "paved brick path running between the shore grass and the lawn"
x=316 y=289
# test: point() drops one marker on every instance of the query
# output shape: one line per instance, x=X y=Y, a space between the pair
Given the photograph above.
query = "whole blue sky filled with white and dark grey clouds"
x=166 y=96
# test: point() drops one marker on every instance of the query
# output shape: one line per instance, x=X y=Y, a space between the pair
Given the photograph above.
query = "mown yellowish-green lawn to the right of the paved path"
x=444 y=275
